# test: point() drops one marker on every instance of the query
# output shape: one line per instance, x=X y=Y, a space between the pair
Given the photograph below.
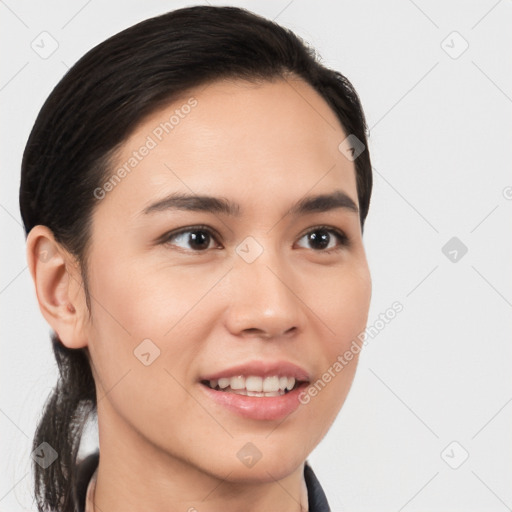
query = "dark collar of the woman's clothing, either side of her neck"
x=317 y=500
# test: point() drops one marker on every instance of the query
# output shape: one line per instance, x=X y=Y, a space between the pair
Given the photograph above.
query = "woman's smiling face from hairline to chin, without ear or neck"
x=249 y=290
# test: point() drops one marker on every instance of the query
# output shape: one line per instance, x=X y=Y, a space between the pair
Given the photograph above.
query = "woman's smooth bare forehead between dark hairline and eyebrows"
x=274 y=140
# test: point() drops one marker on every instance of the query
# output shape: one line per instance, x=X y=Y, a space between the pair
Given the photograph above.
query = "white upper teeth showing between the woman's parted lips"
x=254 y=385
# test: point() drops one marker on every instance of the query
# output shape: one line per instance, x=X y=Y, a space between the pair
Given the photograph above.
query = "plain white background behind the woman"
x=440 y=139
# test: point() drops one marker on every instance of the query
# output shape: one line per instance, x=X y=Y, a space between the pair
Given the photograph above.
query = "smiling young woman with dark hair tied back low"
x=194 y=192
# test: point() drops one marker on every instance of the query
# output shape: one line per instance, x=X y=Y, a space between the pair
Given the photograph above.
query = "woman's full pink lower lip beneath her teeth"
x=257 y=408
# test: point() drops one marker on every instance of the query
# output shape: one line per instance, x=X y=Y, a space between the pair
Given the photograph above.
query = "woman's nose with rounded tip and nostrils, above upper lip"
x=262 y=299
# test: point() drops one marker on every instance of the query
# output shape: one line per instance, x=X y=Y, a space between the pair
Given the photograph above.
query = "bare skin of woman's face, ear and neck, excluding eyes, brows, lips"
x=264 y=146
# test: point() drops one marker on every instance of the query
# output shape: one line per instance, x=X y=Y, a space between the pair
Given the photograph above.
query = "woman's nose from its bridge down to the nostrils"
x=261 y=298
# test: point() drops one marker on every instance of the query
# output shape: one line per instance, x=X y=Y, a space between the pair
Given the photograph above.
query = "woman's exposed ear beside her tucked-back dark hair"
x=59 y=288
